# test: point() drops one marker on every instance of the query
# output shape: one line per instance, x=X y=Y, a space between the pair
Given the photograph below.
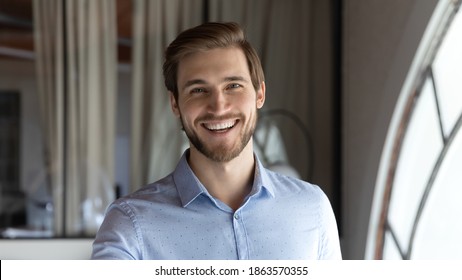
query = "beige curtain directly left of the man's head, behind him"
x=156 y=137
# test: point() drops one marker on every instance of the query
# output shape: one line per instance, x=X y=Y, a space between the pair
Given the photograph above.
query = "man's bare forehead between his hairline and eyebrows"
x=211 y=64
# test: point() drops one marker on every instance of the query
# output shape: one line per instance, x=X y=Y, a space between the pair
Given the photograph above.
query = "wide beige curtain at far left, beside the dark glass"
x=77 y=88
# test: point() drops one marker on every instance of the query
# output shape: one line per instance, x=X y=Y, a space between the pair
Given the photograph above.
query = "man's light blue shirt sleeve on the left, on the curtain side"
x=118 y=237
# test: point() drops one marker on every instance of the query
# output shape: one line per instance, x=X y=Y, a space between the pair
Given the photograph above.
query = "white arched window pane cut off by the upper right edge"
x=447 y=68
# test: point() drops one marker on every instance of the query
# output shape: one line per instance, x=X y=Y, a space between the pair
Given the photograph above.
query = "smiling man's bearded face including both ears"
x=217 y=103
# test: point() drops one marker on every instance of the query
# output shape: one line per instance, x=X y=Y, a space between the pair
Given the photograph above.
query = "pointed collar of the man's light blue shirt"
x=189 y=187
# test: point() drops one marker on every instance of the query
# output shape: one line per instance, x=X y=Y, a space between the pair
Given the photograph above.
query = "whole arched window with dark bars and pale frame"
x=417 y=209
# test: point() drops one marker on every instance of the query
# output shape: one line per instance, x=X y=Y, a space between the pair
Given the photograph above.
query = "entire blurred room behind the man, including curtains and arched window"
x=364 y=100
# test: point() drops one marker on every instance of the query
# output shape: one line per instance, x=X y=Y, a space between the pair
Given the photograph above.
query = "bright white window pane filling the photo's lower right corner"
x=439 y=234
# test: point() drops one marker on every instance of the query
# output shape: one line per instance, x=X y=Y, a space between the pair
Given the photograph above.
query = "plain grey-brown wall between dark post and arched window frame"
x=380 y=40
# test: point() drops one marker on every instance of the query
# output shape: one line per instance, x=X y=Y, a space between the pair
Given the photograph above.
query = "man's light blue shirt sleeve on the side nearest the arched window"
x=330 y=242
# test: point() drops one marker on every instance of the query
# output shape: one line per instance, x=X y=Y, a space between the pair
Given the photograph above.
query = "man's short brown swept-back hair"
x=205 y=37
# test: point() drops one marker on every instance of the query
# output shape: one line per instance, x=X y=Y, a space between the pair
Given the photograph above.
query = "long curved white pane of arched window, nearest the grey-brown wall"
x=421 y=147
